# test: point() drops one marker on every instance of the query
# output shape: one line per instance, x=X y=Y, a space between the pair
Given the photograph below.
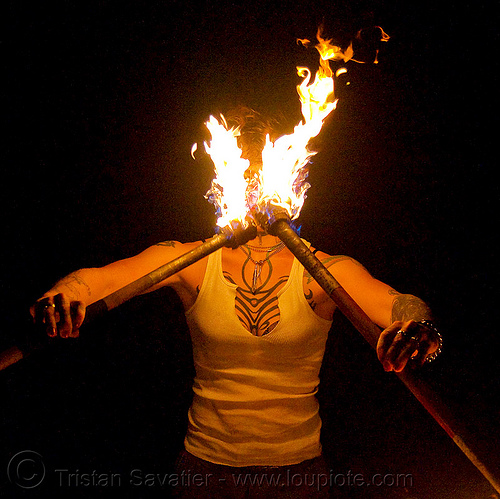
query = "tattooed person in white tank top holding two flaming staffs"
x=259 y=324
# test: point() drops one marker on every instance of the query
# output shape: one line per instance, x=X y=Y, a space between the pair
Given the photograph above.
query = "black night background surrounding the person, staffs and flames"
x=102 y=102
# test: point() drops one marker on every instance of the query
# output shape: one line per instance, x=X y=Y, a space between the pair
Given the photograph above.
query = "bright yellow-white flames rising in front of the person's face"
x=282 y=179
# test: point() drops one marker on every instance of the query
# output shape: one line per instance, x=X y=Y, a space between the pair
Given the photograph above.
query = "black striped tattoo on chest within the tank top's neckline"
x=258 y=310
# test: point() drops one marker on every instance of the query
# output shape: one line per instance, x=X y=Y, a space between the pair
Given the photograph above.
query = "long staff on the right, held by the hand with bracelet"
x=280 y=227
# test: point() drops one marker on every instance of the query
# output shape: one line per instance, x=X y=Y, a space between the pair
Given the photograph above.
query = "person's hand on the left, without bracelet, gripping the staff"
x=59 y=314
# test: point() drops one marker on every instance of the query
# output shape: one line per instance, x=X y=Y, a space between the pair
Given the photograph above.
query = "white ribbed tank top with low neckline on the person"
x=254 y=396
